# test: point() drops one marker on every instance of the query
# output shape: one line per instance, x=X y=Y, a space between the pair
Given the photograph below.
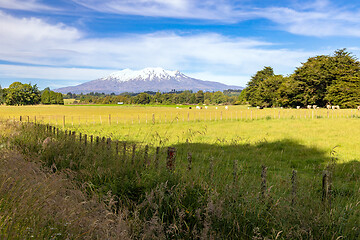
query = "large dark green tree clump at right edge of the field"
x=321 y=80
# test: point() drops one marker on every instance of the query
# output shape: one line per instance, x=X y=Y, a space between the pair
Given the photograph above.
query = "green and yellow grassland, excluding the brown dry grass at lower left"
x=239 y=173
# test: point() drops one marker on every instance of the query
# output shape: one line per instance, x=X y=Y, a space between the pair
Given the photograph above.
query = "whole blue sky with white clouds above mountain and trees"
x=67 y=42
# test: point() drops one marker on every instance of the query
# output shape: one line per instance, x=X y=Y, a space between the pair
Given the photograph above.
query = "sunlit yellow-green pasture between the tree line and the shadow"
x=166 y=125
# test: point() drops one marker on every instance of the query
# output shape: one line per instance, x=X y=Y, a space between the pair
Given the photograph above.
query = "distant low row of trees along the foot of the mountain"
x=184 y=97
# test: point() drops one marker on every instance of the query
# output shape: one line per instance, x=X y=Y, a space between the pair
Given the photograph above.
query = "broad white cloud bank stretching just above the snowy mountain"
x=36 y=42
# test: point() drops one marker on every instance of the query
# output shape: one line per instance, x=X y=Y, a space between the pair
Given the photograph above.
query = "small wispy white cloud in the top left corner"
x=30 y=5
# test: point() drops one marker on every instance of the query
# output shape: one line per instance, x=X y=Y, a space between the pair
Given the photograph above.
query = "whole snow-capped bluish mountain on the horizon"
x=148 y=79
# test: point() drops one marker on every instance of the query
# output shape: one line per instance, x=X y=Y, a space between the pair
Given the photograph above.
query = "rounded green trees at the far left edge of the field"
x=26 y=94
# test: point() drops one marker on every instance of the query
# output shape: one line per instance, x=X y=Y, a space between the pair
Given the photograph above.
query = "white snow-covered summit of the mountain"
x=146 y=74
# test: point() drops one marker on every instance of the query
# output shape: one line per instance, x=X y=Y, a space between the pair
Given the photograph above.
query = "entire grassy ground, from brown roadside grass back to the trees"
x=239 y=173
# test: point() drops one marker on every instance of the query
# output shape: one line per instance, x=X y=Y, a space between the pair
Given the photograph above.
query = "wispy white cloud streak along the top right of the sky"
x=310 y=18
